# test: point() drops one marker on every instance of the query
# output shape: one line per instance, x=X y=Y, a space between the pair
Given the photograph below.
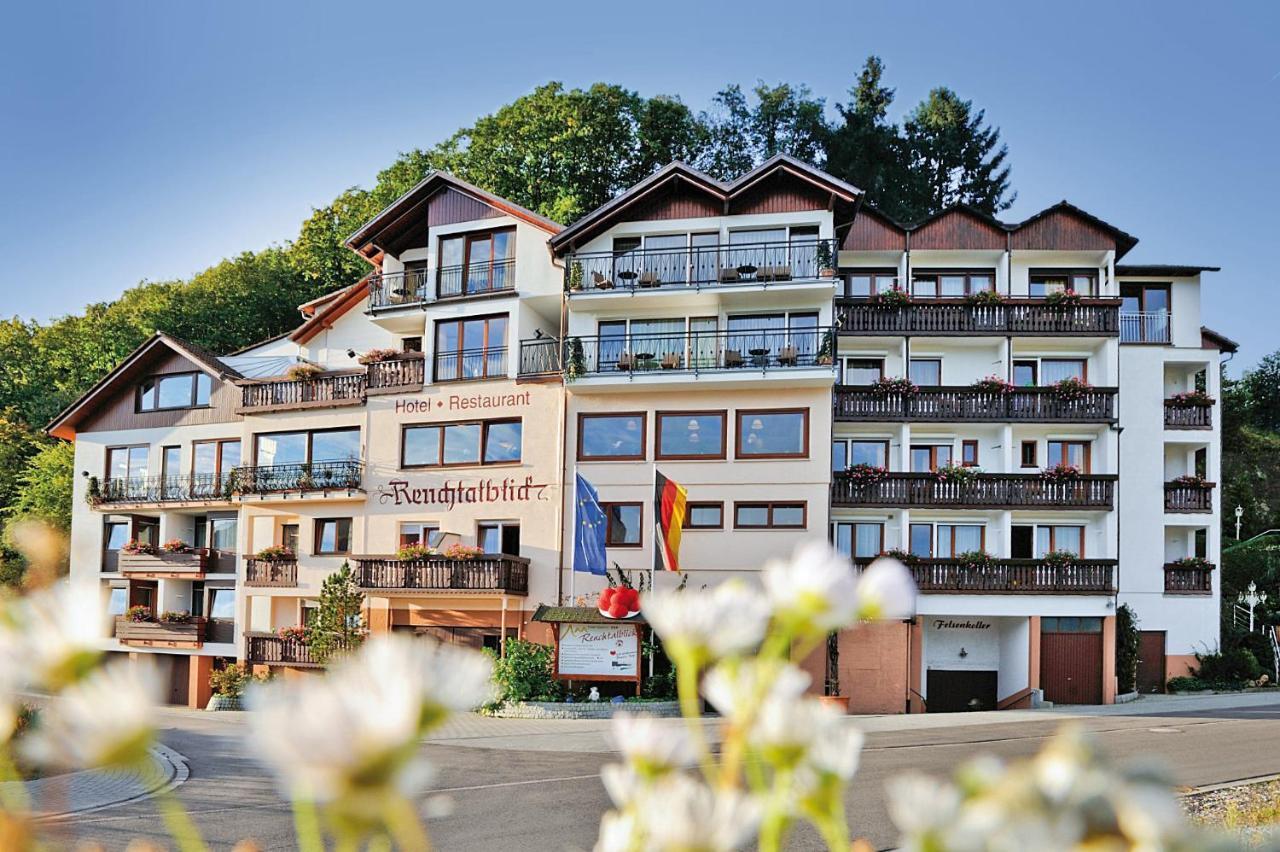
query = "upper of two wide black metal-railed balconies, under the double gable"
x=698 y=268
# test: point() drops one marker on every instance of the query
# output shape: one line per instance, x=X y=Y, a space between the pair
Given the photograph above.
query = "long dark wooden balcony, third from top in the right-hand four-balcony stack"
x=984 y=492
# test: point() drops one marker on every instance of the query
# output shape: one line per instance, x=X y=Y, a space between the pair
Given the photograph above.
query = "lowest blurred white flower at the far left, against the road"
x=104 y=721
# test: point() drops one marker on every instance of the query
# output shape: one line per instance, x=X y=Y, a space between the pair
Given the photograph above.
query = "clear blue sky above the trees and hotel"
x=150 y=140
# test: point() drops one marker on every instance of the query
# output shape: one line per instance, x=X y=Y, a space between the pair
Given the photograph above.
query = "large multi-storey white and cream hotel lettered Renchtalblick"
x=734 y=337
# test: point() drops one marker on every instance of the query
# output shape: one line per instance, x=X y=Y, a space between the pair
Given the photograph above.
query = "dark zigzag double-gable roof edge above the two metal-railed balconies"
x=721 y=191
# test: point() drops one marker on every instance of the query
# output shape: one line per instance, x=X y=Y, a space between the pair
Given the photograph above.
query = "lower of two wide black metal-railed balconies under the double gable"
x=689 y=352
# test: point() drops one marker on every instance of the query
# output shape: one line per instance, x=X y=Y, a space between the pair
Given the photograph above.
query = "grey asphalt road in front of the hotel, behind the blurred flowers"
x=551 y=800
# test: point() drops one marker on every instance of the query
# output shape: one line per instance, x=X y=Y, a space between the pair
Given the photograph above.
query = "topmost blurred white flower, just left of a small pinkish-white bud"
x=815 y=590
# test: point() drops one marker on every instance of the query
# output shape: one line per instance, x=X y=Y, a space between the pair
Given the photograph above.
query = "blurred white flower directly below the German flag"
x=726 y=621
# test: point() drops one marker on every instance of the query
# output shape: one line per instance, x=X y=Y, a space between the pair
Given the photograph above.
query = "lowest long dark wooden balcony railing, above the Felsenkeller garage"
x=1016 y=578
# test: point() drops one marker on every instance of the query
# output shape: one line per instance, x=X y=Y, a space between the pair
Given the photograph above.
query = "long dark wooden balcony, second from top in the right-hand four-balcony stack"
x=856 y=404
